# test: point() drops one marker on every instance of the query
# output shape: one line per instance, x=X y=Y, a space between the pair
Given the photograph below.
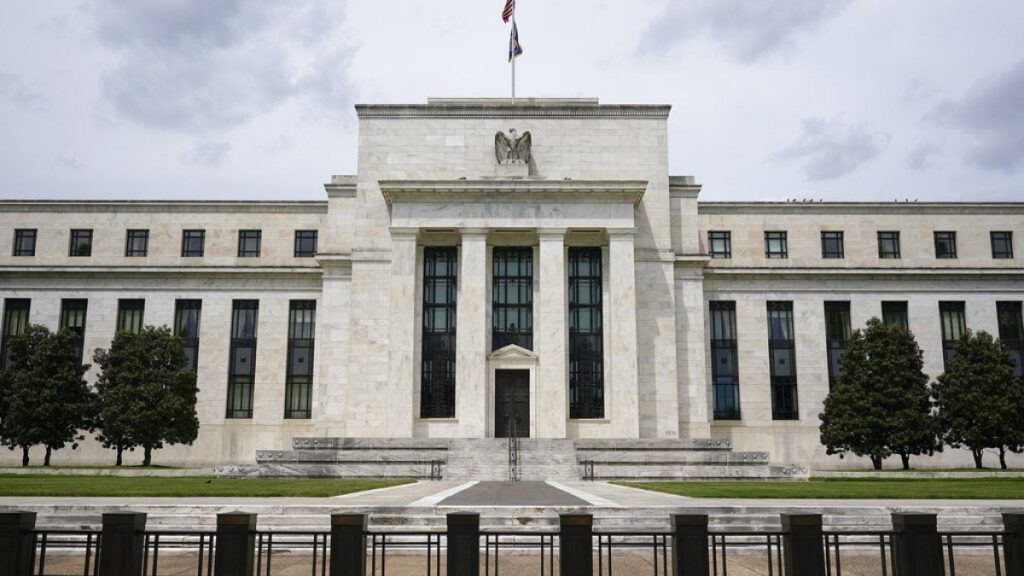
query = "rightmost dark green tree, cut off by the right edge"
x=982 y=405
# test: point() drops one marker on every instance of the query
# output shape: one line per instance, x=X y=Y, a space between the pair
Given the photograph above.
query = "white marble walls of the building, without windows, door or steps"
x=429 y=177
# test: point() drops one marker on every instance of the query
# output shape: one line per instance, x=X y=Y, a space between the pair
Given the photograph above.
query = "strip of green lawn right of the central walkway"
x=982 y=488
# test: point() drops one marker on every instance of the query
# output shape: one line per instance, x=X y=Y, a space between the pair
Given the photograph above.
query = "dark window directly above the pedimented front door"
x=513 y=306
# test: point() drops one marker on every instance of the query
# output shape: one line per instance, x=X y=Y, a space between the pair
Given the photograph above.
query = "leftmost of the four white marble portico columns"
x=401 y=409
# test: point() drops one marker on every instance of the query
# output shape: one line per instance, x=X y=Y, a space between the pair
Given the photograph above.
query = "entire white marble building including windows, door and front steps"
x=527 y=269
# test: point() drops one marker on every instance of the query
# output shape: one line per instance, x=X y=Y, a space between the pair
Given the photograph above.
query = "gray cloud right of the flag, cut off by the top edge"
x=748 y=29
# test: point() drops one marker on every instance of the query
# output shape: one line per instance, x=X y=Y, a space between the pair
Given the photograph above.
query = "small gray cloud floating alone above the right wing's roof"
x=830 y=150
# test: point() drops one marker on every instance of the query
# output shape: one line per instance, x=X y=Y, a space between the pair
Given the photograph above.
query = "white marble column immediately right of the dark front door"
x=550 y=337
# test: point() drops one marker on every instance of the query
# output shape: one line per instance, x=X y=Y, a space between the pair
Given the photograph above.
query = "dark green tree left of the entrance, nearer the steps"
x=147 y=393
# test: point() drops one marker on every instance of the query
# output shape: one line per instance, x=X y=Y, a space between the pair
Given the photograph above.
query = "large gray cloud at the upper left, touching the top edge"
x=200 y=66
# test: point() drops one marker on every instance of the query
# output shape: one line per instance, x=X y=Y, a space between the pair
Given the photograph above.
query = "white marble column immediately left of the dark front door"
x=472 y=336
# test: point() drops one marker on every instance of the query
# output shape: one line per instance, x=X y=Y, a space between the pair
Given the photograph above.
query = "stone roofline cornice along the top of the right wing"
x=908 y=209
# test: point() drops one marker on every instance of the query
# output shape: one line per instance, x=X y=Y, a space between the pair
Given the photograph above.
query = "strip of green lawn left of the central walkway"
x=46 y=485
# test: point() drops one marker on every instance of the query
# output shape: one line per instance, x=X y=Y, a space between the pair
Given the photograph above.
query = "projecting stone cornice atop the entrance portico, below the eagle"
x=513 y=192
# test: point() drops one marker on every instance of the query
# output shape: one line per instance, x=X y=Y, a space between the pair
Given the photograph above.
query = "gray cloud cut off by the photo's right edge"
x=992 y=114
